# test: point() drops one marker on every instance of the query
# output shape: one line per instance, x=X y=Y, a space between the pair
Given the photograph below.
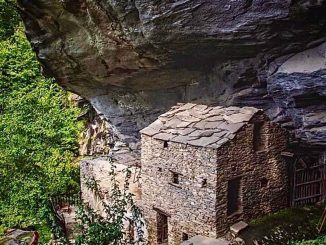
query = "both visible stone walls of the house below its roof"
x=193 y=209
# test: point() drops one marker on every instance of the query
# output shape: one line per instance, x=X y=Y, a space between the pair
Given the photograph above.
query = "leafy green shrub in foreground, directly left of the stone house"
x=110 y=225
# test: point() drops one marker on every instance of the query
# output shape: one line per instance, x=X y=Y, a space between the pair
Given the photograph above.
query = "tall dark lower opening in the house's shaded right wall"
x=234 y=196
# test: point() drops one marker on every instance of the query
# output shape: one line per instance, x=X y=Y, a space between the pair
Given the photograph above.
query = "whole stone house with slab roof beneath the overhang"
x=206 y=168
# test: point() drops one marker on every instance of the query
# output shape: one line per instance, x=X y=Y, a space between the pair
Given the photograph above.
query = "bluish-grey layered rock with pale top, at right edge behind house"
x=298 y=88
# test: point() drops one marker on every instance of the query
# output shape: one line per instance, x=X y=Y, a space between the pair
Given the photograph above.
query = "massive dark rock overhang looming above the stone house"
x=134 y=59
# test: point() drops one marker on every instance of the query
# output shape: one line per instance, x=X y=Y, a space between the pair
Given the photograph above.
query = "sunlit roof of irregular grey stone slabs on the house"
x=200 y=125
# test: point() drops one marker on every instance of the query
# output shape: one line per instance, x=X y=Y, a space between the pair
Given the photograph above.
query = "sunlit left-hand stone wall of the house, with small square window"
x=190 y=206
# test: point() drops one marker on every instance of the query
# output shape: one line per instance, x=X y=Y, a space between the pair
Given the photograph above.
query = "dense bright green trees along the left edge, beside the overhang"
x=39 y=131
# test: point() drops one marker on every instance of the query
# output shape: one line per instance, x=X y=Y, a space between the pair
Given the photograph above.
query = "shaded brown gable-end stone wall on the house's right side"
x=238 y=159
